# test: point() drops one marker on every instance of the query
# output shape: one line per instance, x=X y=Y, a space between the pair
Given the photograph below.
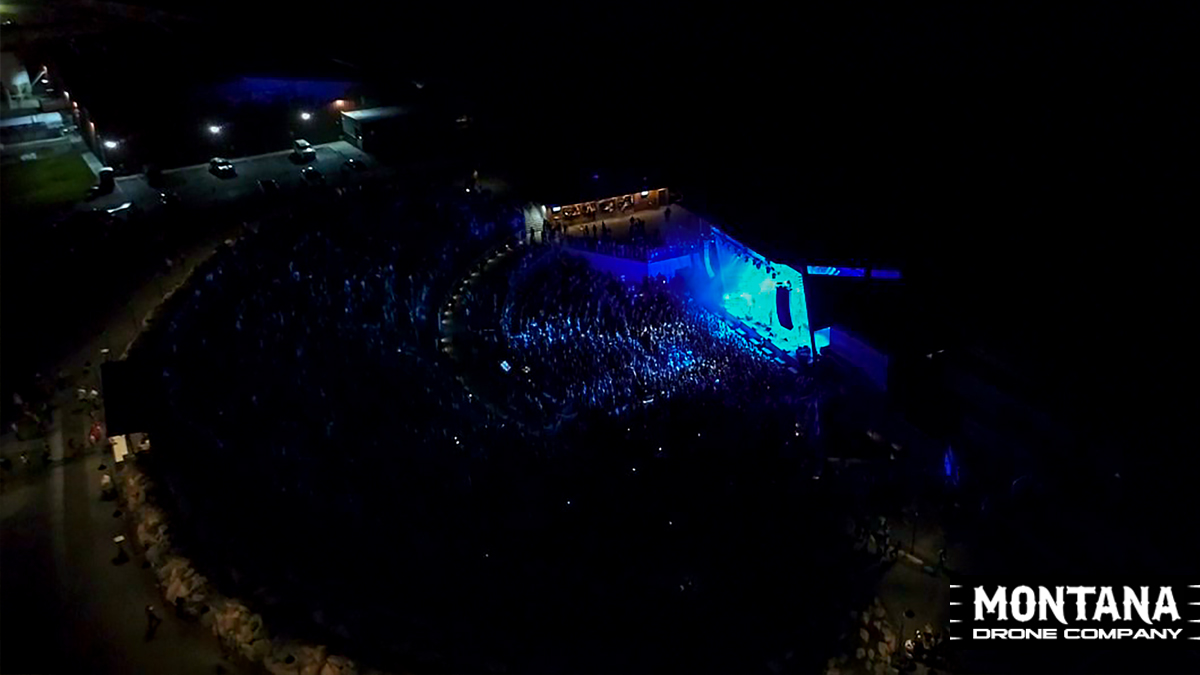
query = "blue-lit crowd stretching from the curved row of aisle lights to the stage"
x=553 y=339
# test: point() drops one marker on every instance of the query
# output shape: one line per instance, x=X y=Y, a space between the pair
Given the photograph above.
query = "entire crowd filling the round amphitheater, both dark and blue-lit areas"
x=331 y=465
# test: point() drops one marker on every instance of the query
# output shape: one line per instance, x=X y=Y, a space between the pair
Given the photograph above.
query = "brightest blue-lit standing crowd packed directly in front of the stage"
x=595 y=342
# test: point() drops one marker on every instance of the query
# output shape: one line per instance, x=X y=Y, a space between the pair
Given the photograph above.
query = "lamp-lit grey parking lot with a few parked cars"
x=197 y=187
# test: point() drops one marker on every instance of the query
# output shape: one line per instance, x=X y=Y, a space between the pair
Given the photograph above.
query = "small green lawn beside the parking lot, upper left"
x=51 y=182
